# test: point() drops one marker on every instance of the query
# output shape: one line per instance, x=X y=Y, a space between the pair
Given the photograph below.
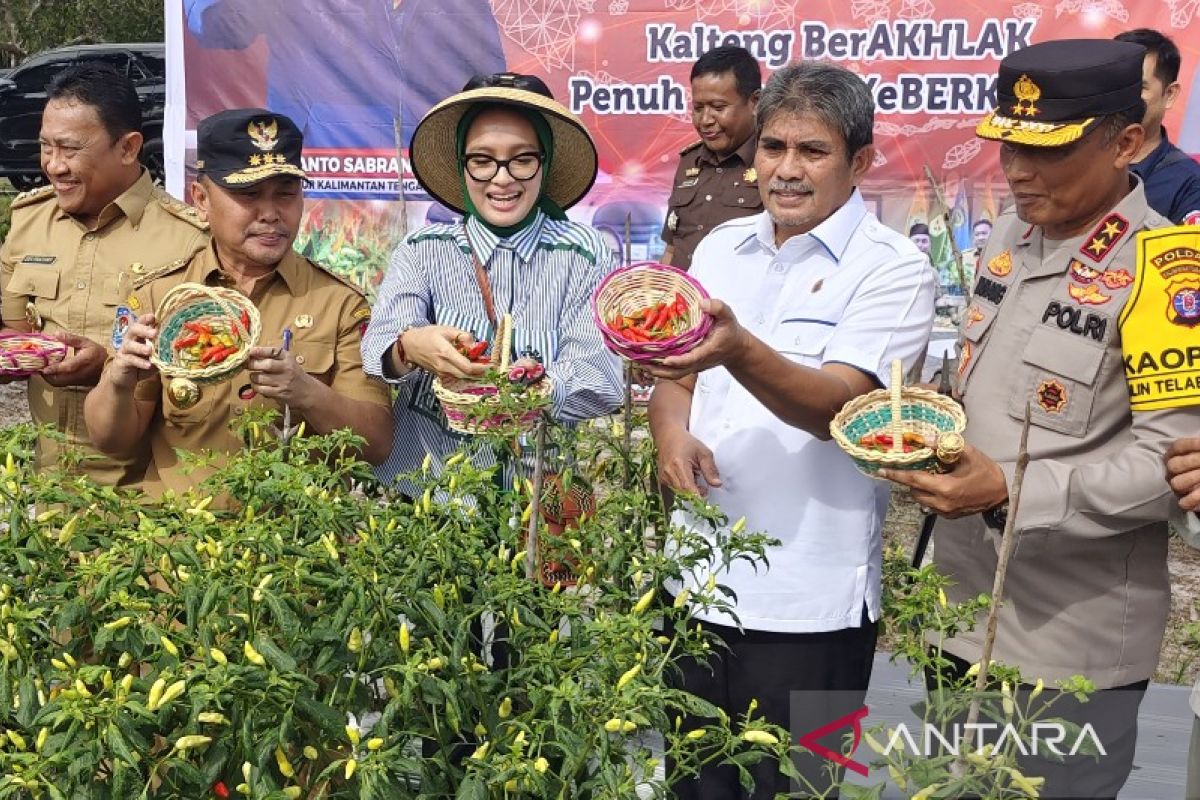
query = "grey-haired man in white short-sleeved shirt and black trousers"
x=813 y=300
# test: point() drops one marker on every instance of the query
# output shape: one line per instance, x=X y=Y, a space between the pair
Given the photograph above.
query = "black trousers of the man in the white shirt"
x=802 y=682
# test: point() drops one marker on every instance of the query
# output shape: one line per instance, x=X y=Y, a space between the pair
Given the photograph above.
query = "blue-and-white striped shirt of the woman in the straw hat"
x=544 y=276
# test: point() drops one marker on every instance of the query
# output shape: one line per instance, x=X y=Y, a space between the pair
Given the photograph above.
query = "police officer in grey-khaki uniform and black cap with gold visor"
x=1088 y=587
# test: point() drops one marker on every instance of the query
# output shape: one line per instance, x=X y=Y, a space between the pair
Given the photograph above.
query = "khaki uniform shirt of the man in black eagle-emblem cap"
x=327 y=317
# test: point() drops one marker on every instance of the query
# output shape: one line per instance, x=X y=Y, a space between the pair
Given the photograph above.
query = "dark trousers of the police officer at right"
x=1113 y=714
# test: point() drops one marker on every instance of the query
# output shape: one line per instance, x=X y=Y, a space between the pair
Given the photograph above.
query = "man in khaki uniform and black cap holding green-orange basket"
x=251 y=194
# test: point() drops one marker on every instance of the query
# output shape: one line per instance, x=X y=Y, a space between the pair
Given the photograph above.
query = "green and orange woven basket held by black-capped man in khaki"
x=217 y=308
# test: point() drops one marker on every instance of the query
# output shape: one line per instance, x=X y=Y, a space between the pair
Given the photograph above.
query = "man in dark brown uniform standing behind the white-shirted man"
x=716 y=181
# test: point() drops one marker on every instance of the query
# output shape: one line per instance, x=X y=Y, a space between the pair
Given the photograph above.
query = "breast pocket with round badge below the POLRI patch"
x=1058 y=381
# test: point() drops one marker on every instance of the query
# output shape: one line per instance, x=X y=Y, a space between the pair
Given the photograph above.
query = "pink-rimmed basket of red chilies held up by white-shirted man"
x=650 y=311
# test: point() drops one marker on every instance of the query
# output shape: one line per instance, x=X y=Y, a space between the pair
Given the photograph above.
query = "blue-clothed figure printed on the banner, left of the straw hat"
x=345 y=70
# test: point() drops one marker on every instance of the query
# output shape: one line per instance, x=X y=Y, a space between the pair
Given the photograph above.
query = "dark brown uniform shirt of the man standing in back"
x=709 y=191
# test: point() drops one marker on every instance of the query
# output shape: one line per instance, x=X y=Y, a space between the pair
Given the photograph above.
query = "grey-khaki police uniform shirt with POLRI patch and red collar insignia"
x=1088 y=586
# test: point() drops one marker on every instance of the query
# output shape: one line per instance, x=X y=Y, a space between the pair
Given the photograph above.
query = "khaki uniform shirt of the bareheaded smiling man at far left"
x=73 y=279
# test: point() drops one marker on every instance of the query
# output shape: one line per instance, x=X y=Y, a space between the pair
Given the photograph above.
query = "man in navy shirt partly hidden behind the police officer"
x=1171 y=176
